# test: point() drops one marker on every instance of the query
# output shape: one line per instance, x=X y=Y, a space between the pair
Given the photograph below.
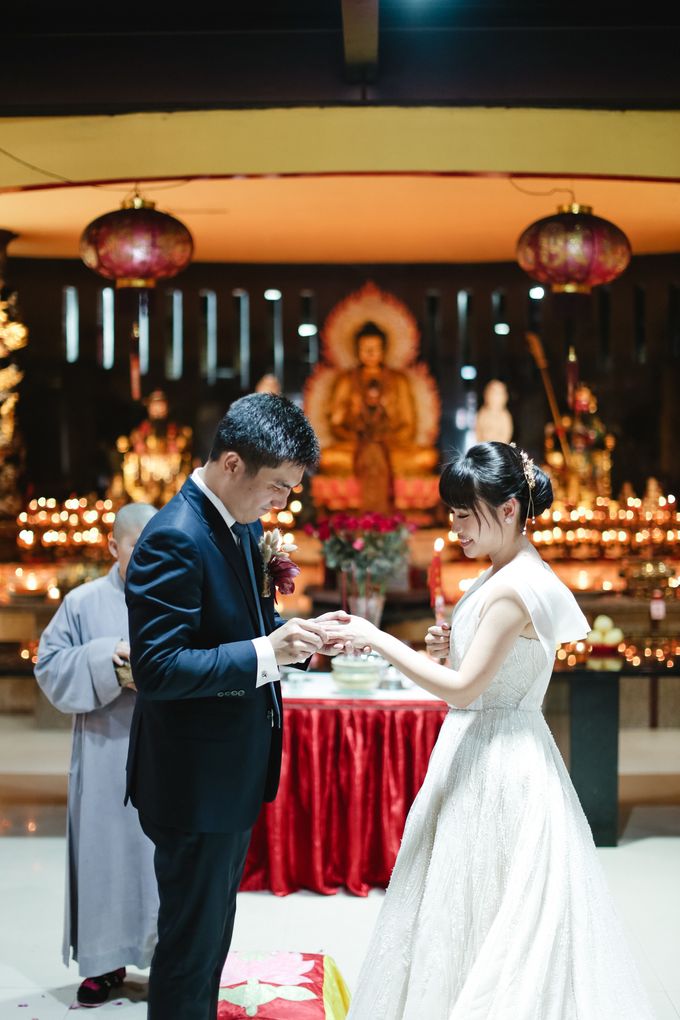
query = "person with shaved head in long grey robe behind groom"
x=112 y=902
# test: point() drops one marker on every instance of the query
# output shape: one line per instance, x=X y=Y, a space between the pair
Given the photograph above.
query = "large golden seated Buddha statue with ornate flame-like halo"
x=377 y=413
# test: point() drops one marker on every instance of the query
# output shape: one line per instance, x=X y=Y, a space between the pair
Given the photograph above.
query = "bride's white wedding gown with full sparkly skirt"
x=498 y=908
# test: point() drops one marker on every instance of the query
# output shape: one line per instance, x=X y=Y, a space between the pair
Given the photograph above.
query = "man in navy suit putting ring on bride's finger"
x=205 y=745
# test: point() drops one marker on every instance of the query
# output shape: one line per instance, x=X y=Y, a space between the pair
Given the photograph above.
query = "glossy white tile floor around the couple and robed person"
x=643 y=872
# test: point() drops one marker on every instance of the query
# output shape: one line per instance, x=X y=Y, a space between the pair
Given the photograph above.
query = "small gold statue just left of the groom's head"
x=156 y=457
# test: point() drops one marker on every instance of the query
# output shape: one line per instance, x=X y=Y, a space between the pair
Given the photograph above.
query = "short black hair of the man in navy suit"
x=267 y=430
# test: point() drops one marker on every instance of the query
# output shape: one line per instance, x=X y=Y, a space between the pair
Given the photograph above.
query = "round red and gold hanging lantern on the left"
x=137 y=245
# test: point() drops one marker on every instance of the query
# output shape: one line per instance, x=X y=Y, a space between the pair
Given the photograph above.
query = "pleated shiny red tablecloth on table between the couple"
x=351 y=772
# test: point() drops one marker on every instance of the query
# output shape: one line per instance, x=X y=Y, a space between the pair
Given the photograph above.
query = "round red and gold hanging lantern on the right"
x=573 y=251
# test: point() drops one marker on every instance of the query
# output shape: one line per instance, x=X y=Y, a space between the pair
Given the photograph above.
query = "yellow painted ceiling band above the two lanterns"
x=348 y=140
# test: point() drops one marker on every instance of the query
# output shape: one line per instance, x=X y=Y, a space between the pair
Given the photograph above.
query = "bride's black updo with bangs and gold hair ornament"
x=490 y=475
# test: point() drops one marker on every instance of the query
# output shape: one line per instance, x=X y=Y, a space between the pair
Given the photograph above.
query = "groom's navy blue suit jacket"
x=203 y=753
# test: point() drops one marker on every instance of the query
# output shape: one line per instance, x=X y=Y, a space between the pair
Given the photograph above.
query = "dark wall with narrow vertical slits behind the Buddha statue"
x=72 y=415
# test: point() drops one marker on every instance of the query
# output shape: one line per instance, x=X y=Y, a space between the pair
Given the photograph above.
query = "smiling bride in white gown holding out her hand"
x=498 y=908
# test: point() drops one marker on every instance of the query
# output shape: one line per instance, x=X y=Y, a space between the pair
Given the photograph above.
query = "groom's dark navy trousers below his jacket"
x=198 y=877
